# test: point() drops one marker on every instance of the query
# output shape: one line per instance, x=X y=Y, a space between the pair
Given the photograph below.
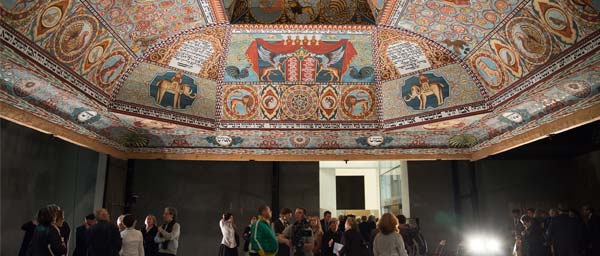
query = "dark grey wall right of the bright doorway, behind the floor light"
x=501 y=185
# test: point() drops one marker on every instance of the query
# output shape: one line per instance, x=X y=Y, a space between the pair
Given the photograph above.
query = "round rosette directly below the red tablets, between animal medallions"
x=300 y=102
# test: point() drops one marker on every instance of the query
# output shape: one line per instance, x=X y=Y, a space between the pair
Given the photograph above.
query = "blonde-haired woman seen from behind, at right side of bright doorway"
x=388 y=242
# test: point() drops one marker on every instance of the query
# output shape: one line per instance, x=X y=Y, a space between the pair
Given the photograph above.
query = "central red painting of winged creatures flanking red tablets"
x=304 y=59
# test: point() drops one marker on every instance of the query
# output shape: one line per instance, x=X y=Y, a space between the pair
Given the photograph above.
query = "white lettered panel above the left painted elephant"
x=191 y=55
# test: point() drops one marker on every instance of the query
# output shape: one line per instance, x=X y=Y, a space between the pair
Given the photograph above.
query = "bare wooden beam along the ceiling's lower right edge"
x=575 y=119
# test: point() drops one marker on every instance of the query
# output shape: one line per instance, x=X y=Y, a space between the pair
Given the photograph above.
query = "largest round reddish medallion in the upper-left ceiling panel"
x=74 y=37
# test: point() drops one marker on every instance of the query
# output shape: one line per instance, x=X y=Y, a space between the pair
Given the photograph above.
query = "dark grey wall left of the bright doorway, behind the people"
x=202 y=191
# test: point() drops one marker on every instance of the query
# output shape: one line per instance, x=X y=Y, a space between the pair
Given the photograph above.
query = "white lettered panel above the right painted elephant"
x=407 y=57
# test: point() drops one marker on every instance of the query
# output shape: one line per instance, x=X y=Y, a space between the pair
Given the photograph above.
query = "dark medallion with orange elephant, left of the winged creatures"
x=173 y=89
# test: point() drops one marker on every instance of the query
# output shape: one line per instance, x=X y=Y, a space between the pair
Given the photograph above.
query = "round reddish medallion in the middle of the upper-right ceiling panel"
x=530 y=39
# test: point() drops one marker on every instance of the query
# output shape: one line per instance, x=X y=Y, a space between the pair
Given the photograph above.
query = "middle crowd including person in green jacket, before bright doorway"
x=295 y=233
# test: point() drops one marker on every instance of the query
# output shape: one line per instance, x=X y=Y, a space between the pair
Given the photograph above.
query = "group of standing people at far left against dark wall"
x=48 y=234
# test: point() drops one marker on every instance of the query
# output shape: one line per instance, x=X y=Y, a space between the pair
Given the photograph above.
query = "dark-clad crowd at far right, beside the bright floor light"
x=558 y=232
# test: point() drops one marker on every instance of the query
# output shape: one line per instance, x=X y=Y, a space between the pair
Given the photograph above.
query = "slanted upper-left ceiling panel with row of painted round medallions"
x=69 y=32
